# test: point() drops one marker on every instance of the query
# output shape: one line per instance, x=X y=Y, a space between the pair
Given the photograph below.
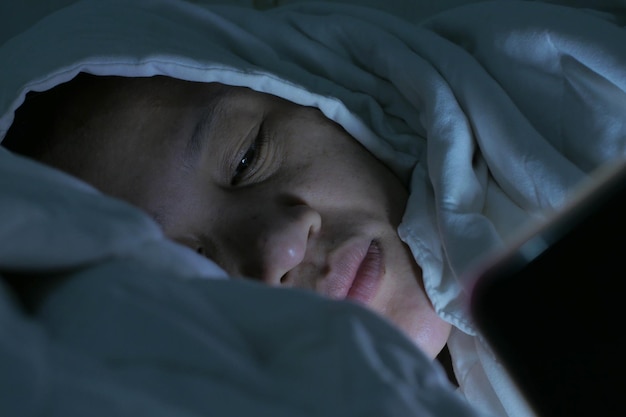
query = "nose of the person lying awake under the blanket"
x=282 y=239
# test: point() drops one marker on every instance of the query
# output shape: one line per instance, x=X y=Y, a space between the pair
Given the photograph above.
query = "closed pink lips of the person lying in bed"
x=356 y=273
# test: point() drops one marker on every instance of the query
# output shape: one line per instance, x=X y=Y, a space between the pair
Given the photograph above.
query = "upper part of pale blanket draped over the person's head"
x=491 y=112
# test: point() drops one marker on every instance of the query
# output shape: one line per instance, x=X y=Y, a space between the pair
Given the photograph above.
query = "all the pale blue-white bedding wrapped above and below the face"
x=484 y=110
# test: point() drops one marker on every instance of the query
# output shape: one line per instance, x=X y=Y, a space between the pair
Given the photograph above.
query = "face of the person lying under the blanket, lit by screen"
x=266 y=188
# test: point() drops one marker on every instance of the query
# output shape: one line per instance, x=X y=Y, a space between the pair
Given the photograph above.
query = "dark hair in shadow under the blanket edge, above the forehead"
x=55 y=126
